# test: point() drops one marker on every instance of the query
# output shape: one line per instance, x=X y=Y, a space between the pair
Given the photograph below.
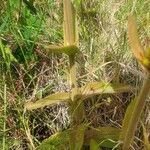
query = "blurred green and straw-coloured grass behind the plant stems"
x=28 y=73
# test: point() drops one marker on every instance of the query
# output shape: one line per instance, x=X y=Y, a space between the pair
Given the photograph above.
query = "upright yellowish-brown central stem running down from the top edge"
x=71 y=38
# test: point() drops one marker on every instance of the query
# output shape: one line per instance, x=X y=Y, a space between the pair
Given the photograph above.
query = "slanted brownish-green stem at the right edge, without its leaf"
x=135 y=115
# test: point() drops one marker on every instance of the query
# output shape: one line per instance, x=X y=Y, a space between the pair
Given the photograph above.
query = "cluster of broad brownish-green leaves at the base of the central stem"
x=95 y=138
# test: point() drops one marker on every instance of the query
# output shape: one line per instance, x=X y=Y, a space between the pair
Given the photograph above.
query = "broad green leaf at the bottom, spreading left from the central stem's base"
x=63 y=140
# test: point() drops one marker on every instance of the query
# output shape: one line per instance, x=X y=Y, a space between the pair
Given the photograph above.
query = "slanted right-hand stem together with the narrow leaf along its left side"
x=133 y=114
